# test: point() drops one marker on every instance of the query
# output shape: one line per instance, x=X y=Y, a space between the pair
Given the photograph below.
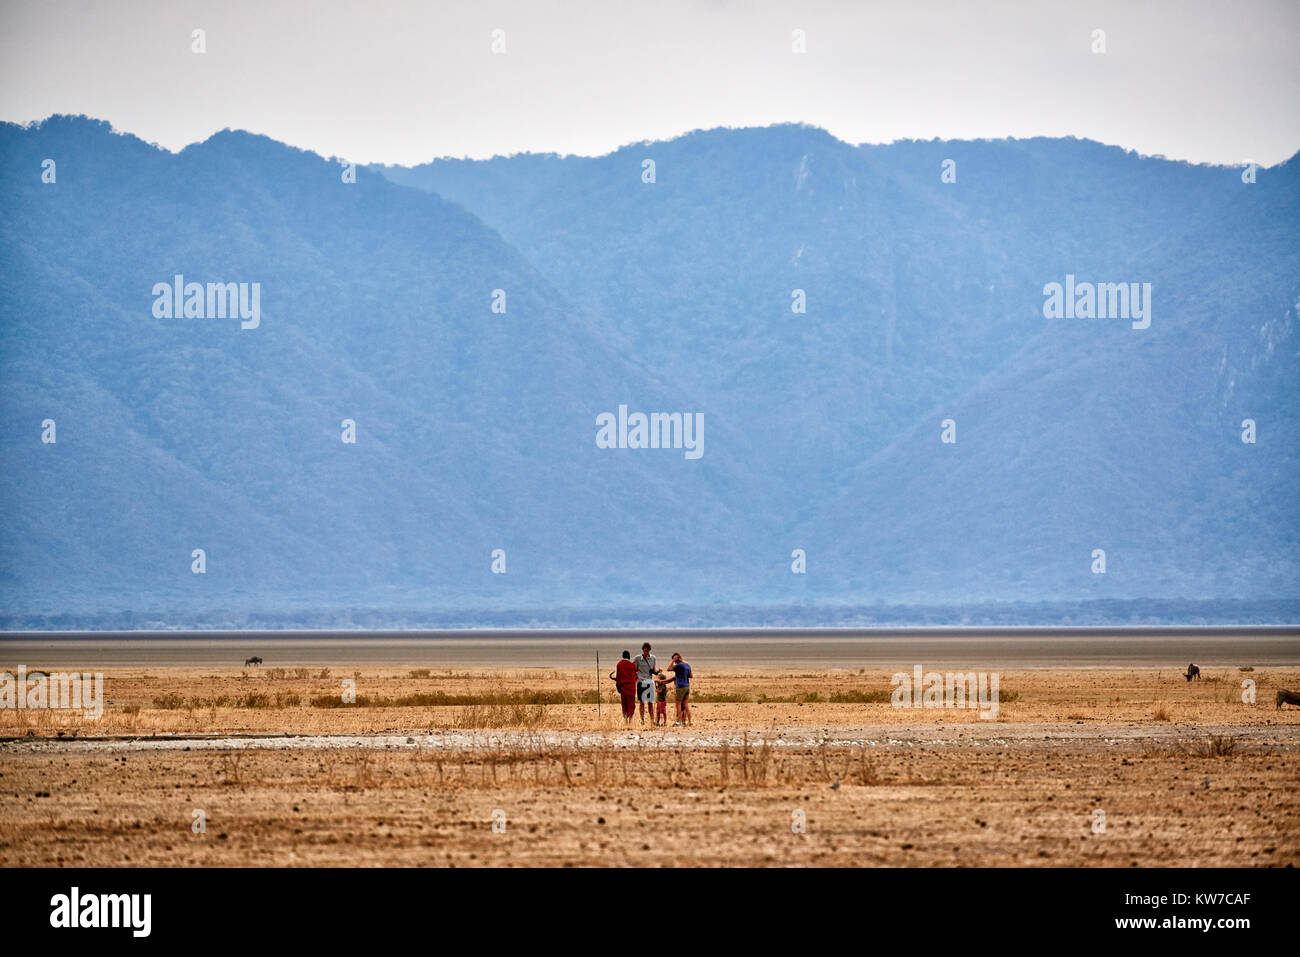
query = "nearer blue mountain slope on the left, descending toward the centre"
x=475 y=431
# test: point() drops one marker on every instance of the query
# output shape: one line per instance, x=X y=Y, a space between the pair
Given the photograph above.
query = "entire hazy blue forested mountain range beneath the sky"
x=1032 y=382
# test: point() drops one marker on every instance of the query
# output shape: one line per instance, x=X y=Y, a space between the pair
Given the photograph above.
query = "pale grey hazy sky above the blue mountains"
x=380 y=81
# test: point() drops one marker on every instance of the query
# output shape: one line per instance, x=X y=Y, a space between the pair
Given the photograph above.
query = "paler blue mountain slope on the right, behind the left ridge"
x=926 y=302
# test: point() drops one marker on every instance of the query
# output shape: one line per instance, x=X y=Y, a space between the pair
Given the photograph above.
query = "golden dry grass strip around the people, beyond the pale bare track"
x=279 y=700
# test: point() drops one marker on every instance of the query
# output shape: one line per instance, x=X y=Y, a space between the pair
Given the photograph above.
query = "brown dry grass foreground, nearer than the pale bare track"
x=723 y=807
